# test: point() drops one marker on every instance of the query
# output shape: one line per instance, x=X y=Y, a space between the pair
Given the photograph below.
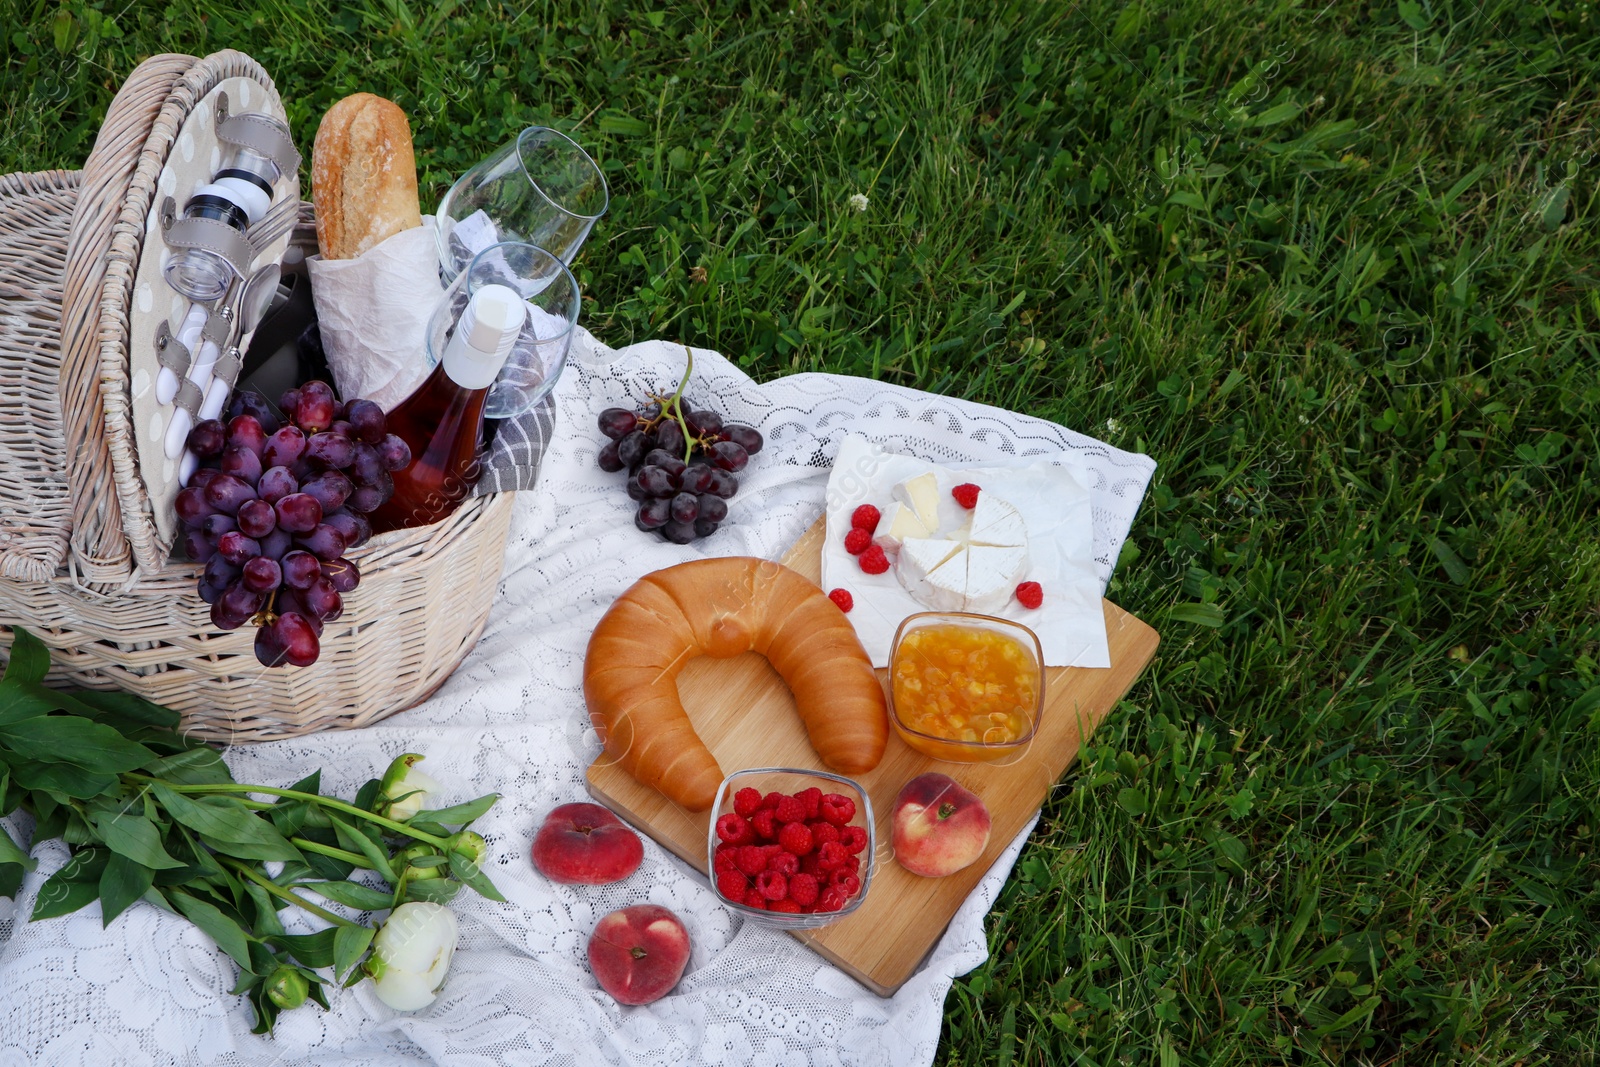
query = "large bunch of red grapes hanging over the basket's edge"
x=276 y=514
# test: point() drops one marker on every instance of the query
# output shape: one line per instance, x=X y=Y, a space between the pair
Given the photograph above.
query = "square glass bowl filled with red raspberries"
x=791 y=849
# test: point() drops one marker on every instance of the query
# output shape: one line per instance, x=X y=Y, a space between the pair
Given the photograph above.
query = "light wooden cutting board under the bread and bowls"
x=746 y=717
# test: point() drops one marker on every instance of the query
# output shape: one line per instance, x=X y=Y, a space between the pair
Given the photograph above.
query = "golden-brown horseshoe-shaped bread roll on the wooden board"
x=722 y=609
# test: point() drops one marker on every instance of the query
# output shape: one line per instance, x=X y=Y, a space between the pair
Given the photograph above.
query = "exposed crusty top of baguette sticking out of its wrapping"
x=362 y=177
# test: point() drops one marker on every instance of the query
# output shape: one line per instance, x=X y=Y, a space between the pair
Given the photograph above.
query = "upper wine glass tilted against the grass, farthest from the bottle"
x=540 y=190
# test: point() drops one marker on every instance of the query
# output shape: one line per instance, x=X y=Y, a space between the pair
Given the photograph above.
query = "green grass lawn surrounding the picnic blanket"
x=1335 y=266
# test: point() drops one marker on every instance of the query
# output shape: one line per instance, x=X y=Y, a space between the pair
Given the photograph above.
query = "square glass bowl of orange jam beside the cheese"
x=966 y=687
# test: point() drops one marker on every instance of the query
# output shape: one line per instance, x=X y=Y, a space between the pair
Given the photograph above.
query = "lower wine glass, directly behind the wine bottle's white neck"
x=540 y=353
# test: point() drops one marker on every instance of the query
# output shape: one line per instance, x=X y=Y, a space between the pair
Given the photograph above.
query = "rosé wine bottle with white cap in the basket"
x=442 y=422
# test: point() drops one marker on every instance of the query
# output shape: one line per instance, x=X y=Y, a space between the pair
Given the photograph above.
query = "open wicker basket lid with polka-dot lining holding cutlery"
x=153 y=153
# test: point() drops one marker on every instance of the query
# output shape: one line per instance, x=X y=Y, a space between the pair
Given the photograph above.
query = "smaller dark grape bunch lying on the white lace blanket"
x=681 y=465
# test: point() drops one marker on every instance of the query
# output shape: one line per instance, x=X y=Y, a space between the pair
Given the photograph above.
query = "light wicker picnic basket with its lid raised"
x=82 y=562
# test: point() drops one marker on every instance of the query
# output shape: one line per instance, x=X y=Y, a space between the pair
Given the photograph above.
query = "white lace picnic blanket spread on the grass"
x=151 y=989
